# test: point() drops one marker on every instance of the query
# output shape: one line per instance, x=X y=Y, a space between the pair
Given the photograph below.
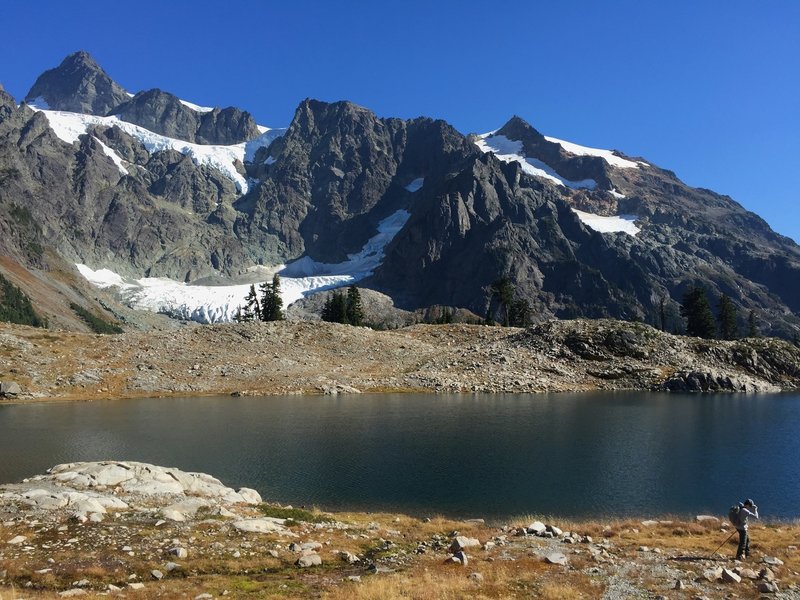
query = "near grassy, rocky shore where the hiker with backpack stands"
x=125 y=528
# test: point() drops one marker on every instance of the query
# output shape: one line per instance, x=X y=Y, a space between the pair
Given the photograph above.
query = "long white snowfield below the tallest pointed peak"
x=70 y=126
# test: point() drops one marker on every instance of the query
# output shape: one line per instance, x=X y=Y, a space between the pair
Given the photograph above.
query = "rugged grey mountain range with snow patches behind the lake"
x=157 y=194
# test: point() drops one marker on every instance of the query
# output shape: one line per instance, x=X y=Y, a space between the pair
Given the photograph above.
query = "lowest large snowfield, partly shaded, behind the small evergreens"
x=214 y=304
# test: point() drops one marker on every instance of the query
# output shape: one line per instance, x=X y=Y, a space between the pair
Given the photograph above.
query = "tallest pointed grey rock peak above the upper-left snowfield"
x=78 y=84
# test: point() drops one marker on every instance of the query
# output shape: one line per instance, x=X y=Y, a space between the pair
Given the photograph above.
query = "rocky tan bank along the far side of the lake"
x=302 y=357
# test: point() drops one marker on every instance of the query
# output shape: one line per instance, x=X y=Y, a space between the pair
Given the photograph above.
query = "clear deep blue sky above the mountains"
x=710 y=90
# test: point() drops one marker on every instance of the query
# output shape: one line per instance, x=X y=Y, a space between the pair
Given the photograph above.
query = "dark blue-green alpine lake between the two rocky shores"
x=460 y=455
